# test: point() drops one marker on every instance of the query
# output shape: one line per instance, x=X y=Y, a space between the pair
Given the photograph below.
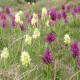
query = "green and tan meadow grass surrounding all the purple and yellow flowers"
x=63 y=66
